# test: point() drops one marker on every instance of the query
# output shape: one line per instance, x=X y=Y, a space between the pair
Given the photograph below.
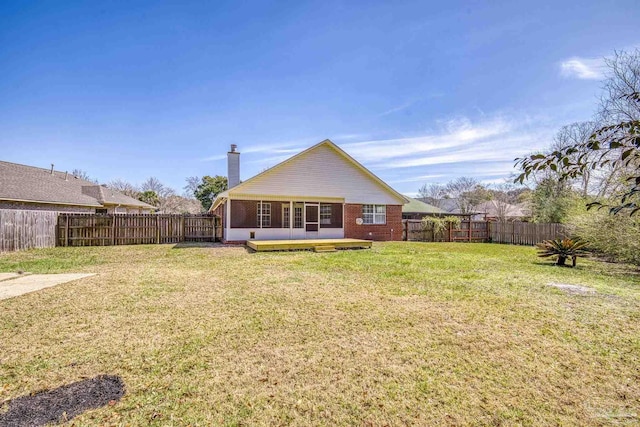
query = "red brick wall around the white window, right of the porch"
x=381 y=232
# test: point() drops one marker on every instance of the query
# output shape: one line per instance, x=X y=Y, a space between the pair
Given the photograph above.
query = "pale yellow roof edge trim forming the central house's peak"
x=238 y=189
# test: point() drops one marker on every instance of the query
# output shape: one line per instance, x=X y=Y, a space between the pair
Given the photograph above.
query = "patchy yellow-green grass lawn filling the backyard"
x=404 y=333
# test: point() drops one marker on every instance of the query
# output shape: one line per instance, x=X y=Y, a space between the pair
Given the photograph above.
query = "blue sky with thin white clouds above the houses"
x=416 y=91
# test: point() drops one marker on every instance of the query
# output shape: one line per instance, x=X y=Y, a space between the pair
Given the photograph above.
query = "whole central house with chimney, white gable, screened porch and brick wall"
x=319 y=193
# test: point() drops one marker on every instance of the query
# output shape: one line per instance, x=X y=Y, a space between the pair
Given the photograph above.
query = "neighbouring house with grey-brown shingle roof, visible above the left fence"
x=32 y=188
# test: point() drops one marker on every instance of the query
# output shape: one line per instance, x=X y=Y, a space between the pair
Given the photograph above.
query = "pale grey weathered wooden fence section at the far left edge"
x=22 y=229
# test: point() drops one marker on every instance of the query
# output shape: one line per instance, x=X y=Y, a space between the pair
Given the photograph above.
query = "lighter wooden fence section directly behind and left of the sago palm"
x=525 y=233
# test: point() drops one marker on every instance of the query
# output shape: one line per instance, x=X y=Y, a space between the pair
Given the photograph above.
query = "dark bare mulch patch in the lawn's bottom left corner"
x=63 y=403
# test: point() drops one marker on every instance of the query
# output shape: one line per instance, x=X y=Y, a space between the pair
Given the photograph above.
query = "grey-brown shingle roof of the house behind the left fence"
x=24 y=183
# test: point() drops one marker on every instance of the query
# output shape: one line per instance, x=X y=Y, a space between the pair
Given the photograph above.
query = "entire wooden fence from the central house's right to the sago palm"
x=517 y=233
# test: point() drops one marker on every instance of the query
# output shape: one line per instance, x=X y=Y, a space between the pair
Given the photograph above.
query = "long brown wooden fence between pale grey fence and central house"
x=107 y=230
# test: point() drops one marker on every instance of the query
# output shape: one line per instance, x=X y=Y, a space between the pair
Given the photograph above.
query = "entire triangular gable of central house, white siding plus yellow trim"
x=319 y=169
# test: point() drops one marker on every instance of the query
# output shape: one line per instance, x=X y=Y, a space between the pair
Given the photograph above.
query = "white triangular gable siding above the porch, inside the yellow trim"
x=320 y=172
